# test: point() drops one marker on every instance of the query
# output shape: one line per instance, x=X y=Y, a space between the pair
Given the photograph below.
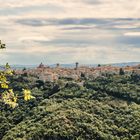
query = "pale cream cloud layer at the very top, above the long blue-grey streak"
x=72 y=8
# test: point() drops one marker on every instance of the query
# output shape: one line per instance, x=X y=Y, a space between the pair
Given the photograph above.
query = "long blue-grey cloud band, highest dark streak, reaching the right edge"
x=84 y=23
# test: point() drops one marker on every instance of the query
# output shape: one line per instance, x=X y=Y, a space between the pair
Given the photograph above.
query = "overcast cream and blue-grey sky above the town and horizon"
x=66 y=31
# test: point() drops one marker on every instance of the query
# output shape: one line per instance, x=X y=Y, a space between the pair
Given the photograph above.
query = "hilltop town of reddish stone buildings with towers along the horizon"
x=46 y=73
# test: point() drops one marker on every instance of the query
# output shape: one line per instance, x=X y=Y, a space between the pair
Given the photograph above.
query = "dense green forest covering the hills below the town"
x=104 y=108
